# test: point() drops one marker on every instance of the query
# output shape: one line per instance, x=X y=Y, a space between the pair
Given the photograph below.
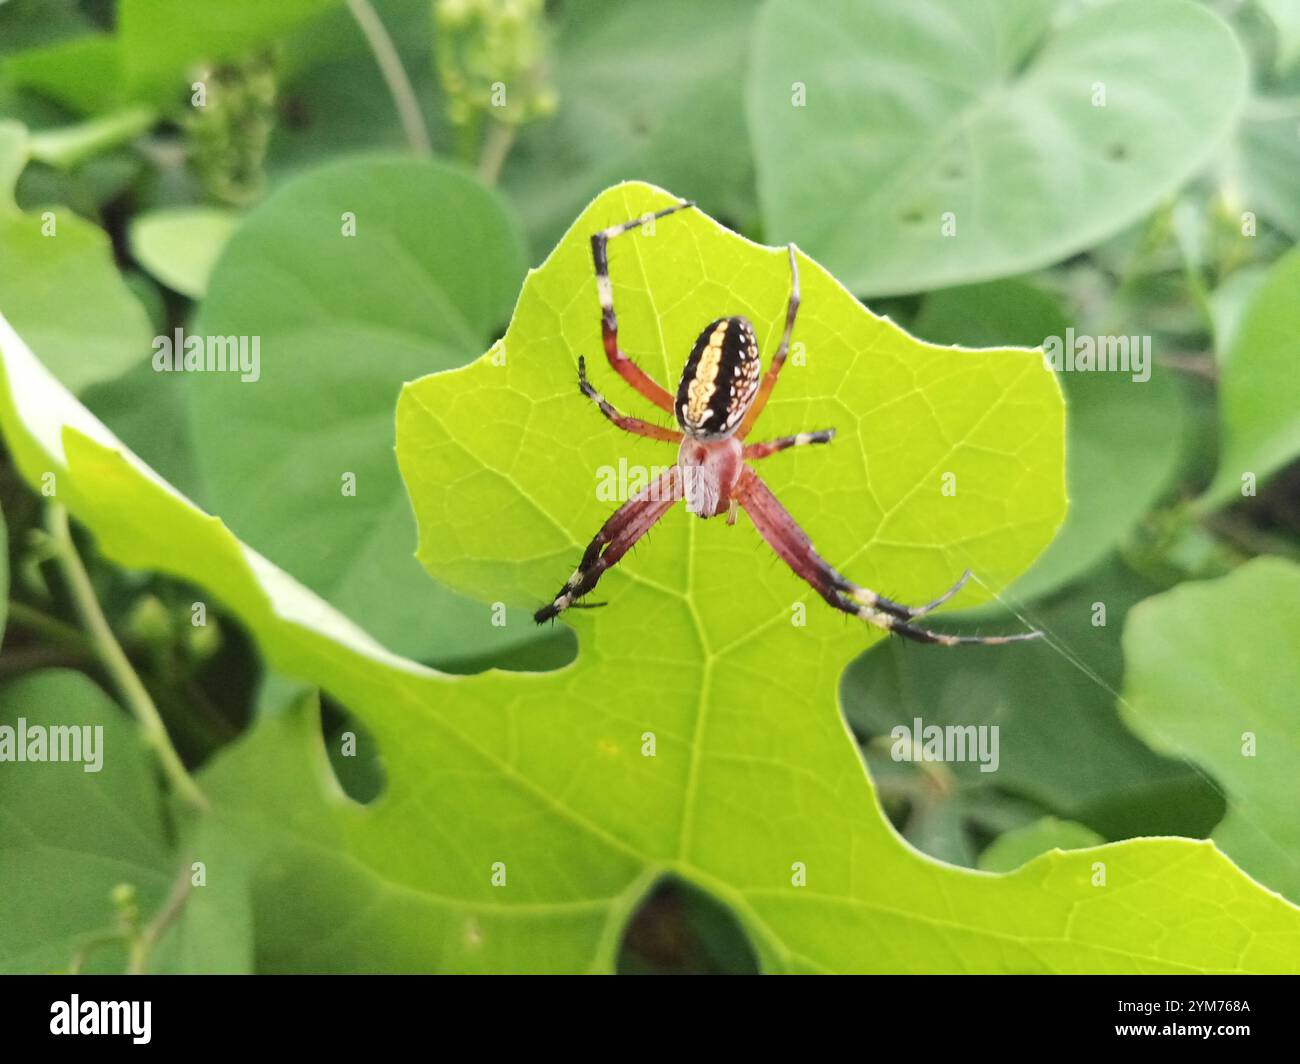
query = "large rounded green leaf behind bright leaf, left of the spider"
x=343 y=322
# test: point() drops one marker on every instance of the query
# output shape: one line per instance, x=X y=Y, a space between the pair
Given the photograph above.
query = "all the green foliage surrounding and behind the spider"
x=1159 y=715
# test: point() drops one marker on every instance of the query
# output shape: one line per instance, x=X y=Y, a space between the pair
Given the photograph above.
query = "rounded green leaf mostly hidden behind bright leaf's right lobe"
x=1115 y=423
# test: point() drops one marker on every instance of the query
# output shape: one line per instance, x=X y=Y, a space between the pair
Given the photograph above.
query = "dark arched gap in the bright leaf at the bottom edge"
x=681 y=931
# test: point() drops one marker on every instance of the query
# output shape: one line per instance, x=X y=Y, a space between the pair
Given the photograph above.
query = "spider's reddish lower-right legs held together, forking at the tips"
x=794 y=547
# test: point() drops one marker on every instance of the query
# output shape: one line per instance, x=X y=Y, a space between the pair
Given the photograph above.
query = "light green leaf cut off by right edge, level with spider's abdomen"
x=1258 y=386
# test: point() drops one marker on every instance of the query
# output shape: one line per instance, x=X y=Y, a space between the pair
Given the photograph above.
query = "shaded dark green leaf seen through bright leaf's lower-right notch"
x=1061 y=743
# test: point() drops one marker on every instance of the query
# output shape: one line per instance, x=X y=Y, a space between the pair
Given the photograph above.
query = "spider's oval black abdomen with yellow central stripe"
x=720 y=382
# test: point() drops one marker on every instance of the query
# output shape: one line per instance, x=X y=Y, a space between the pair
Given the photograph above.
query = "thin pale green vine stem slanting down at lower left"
x=115 y=661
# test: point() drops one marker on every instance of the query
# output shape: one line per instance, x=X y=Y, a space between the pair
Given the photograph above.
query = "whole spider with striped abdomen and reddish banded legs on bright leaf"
x=721 y=396
